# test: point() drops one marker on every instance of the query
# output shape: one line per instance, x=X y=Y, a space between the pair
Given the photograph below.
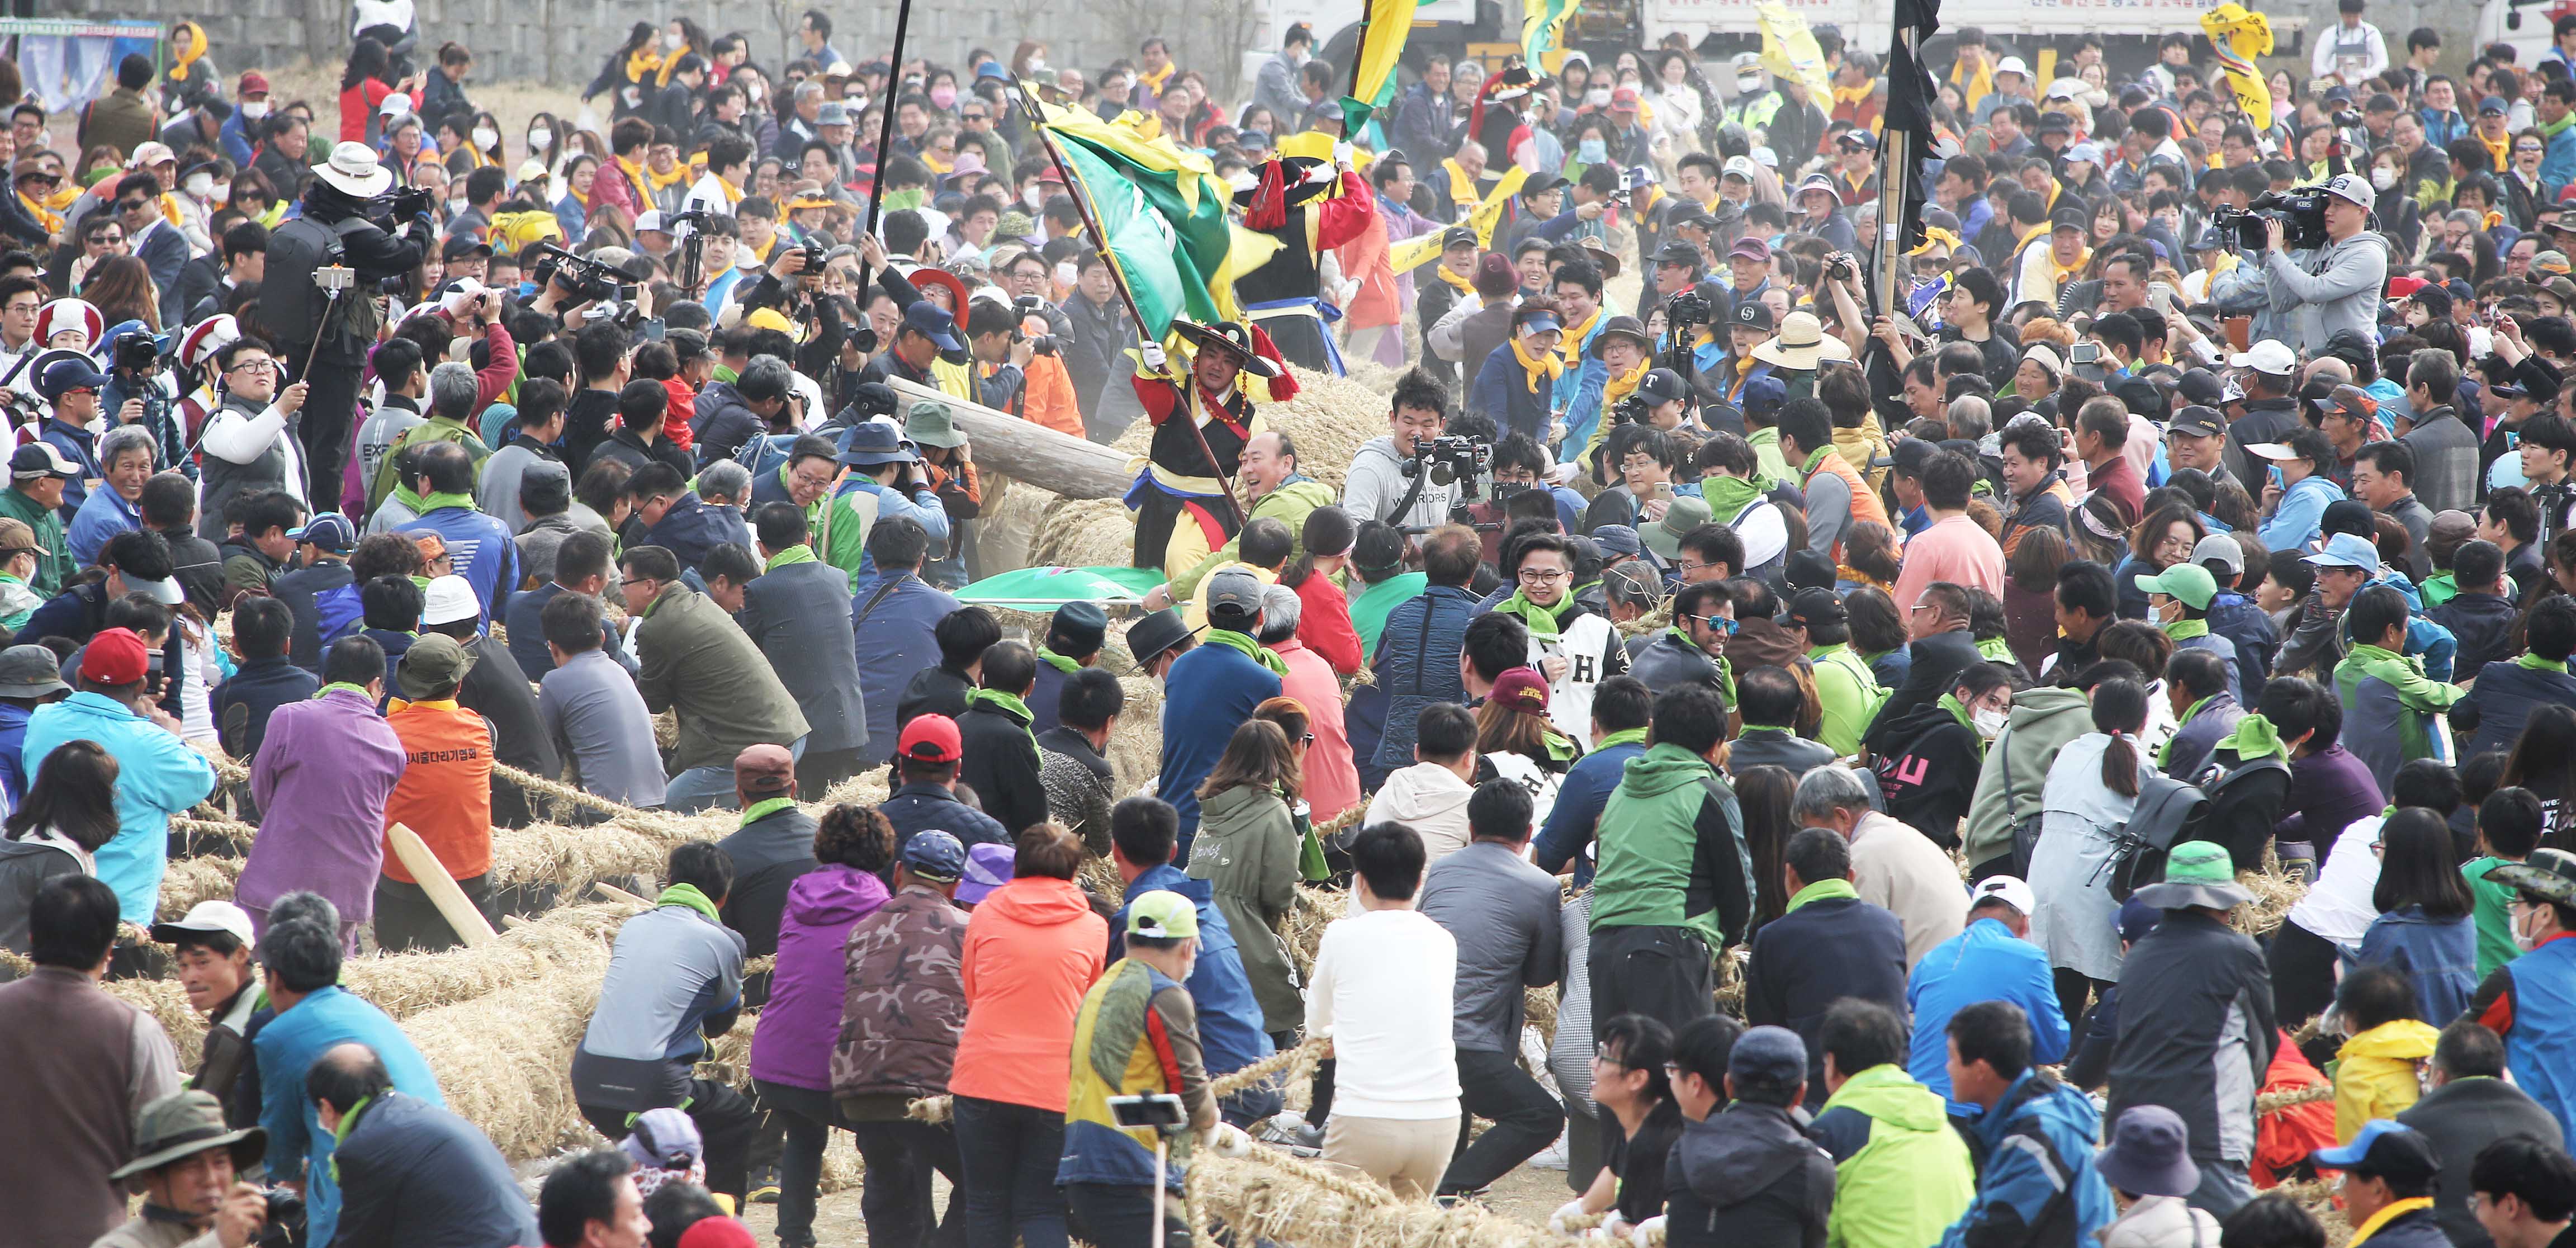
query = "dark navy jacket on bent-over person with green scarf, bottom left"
x=419 y=1175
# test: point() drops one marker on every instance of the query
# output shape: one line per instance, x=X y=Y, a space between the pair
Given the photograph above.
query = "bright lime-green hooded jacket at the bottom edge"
x=1913 y=1180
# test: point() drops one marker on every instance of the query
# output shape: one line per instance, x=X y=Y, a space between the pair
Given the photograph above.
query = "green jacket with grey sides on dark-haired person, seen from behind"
x=1663 y=863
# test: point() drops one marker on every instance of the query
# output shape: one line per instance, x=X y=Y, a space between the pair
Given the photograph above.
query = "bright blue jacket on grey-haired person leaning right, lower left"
x=287 y=1048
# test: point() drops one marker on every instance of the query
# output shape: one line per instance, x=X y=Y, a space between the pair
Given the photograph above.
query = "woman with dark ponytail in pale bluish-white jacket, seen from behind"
x=2090 y=795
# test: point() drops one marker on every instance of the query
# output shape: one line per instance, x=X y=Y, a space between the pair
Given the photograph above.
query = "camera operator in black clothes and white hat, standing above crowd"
x=346 y=223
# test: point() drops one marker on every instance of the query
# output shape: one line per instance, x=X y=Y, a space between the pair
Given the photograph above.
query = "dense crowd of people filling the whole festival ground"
x=1887 y=721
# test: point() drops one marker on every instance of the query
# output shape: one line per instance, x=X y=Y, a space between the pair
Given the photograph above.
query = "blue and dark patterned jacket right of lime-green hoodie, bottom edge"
x=2016 y=1185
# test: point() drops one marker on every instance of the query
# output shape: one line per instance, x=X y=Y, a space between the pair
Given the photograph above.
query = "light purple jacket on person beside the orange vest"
x=321 y=777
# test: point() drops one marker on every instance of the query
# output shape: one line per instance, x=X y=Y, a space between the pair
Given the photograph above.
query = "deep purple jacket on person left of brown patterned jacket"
x=802 y=1017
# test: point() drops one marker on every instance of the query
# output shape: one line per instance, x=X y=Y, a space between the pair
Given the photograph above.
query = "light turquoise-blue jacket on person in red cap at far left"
x=158 y=777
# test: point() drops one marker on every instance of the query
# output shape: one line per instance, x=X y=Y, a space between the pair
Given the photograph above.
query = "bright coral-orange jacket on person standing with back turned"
x=1032 y=950
